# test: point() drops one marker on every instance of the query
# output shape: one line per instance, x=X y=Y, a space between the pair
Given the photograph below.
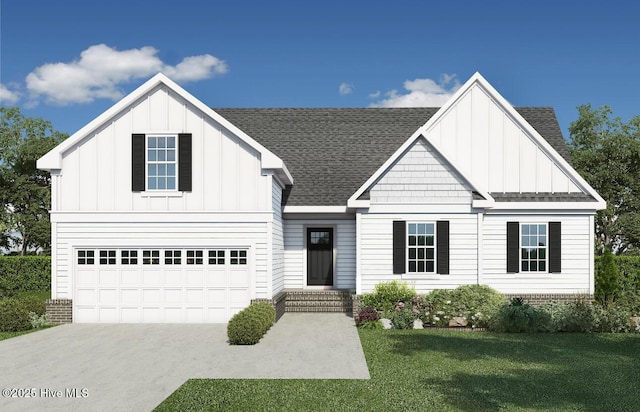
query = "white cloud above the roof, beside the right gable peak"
x=420 y=93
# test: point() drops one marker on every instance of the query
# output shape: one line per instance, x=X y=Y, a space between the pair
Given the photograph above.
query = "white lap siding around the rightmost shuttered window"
x=576 y=265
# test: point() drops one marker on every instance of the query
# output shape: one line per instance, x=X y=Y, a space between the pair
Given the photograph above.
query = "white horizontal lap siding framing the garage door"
x=138 y=235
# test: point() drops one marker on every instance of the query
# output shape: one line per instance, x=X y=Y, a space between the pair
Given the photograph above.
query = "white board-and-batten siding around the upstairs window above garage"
x=96 y=174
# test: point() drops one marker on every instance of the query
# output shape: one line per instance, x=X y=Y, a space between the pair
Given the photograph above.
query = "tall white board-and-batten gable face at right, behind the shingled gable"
x=484 y=140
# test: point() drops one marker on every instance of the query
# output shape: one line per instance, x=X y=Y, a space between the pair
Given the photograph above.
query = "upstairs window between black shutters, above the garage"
x=161 y=163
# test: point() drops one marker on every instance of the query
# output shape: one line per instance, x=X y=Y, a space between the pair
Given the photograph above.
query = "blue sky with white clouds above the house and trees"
x=68 y=61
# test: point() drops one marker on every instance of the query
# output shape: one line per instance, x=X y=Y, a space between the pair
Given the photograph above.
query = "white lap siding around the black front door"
x=345 y=238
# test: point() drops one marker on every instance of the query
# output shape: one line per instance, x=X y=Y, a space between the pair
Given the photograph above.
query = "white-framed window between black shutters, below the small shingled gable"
x=421 y=247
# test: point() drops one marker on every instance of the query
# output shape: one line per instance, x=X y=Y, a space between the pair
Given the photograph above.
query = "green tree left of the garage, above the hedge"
x=24 y=190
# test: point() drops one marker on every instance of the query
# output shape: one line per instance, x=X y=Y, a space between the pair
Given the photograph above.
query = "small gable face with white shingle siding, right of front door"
x=421 y=176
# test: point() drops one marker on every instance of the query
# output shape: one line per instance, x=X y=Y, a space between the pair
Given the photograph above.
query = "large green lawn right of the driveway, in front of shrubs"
x=449 y=371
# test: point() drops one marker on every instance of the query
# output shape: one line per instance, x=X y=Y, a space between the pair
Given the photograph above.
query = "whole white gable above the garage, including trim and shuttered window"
x=214 y=166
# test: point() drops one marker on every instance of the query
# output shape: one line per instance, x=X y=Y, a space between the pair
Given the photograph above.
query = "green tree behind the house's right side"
x=606 y=152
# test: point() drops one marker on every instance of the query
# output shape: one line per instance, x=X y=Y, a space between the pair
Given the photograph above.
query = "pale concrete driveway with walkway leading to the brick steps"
x=135 y=367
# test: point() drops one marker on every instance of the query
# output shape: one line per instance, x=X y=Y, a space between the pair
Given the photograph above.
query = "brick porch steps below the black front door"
x=319 y=301
